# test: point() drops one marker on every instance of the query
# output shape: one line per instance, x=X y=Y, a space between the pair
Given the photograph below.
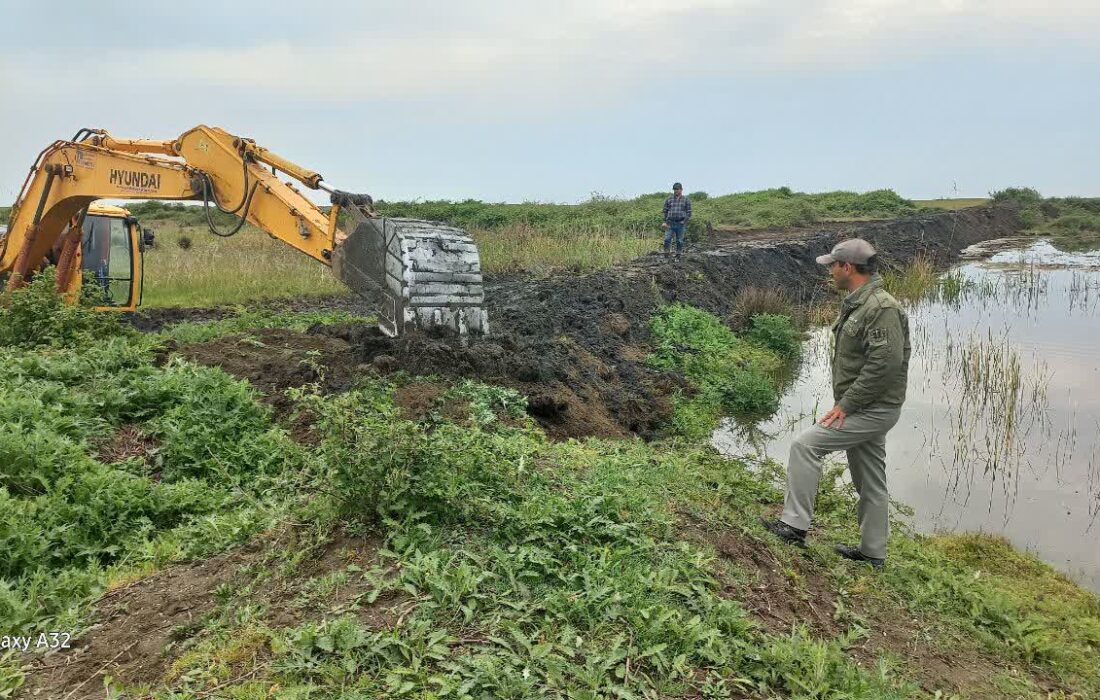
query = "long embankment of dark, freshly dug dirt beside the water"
x=576 y=345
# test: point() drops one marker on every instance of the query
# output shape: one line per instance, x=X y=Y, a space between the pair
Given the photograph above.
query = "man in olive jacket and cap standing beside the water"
x=871 y=368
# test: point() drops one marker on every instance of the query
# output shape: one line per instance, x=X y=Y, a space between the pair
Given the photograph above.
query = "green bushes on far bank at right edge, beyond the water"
x=1072 y=223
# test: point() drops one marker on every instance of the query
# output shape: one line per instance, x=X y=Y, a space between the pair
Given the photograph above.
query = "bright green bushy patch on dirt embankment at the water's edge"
x=733 y=376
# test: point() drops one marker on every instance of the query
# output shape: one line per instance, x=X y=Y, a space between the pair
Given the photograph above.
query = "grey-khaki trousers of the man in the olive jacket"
x=864 y=439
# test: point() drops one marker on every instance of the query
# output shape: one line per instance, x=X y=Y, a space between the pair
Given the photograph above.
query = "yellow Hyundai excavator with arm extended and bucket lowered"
x=417 y=275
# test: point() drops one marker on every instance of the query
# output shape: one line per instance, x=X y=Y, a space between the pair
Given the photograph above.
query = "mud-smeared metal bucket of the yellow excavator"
x=421 y=275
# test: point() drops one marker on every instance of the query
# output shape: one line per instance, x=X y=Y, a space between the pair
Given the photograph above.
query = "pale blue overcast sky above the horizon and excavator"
x=551 y=102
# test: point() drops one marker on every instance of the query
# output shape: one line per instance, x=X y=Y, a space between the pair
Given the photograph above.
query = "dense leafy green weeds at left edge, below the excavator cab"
x=78 y=502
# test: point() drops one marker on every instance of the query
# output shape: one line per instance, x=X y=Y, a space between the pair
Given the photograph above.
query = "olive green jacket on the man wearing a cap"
x=871 y=351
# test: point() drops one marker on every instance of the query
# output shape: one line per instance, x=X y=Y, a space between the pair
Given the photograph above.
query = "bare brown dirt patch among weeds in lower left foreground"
x=141 y=630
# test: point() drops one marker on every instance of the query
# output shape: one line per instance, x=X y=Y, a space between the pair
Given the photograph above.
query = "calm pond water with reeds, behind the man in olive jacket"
x=1002 y=429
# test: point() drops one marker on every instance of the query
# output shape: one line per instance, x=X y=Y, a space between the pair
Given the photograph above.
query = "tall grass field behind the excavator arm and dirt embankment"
x=535 y=238
